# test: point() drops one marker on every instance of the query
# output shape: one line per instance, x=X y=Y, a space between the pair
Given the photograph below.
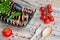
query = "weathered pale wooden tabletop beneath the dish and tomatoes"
x=36 y=23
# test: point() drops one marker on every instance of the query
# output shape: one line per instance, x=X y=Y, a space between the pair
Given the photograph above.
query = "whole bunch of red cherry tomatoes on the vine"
x=46 y=14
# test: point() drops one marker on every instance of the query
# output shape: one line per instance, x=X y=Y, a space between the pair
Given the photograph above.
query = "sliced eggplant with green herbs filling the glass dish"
x=14 y=14
